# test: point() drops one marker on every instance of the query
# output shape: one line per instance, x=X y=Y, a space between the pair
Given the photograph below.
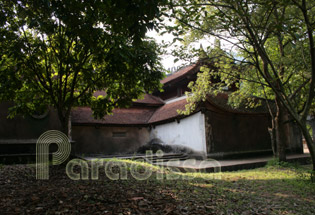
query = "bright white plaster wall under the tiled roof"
x=190 y=132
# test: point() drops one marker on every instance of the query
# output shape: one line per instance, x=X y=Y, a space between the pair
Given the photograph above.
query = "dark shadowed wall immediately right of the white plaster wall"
x=229 y=132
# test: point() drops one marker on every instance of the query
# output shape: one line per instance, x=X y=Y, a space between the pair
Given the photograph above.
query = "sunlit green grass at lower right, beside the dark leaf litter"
x=278 y=188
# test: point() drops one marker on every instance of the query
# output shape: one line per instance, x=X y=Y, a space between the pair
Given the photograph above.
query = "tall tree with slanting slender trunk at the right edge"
x=250 y=26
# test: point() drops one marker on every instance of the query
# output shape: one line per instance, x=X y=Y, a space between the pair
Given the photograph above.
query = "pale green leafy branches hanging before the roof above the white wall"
x=220 y=72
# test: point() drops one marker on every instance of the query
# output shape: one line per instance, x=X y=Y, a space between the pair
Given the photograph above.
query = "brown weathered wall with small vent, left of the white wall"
x=100 y=140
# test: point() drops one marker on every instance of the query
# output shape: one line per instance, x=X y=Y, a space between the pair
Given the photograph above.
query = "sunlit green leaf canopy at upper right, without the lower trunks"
x=251 y=28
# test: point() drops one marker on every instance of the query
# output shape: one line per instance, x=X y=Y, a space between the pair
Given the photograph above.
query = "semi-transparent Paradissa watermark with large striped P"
x=116 y=169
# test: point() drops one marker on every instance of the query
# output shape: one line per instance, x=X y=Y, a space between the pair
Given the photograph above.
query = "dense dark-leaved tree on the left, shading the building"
x=58 y=53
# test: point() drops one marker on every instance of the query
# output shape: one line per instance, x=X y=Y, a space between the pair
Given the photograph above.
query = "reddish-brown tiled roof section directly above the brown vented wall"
x=122 y=116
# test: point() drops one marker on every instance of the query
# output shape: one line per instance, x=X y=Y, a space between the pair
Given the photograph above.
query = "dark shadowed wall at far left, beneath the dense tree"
x=27 y=127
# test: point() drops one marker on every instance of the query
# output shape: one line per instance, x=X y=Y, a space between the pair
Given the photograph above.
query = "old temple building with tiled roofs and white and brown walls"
x=214 y=128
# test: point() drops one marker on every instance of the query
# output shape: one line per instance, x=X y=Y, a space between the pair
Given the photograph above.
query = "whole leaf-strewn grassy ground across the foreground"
x=278 y=188
